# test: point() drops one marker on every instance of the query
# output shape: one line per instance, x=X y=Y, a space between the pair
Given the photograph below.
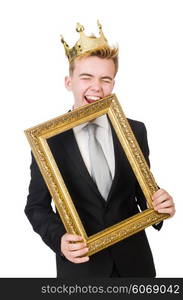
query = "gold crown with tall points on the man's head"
x=85 y=43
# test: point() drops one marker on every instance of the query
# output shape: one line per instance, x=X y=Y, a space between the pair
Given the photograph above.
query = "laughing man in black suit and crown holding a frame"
x=92 y=70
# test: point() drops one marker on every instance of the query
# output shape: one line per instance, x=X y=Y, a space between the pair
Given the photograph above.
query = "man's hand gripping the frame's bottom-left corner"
x=73 y=248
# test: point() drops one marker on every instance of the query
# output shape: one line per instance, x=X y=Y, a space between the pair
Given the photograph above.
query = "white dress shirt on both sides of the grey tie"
x=104 y=136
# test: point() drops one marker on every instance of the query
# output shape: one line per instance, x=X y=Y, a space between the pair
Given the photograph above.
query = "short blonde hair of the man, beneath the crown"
x=103 y=52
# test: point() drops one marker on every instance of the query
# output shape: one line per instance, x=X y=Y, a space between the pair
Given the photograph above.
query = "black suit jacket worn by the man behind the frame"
x=132 y=256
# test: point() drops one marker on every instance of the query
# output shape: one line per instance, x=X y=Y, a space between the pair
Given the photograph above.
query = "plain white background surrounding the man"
x=149 y=87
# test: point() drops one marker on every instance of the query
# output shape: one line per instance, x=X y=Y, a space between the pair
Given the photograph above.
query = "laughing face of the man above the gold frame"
x=92 y=79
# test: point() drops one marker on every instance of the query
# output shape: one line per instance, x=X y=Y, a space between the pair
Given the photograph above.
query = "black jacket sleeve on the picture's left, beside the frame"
x=40 y=213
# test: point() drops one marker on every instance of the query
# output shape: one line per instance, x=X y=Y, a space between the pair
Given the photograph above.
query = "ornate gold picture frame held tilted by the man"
x=37 y=137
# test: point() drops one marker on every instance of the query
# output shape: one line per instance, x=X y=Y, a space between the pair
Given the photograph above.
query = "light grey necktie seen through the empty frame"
x=100 y=171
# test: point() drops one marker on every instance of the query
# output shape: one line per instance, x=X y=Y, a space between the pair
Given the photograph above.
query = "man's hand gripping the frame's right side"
x=163 y=202
